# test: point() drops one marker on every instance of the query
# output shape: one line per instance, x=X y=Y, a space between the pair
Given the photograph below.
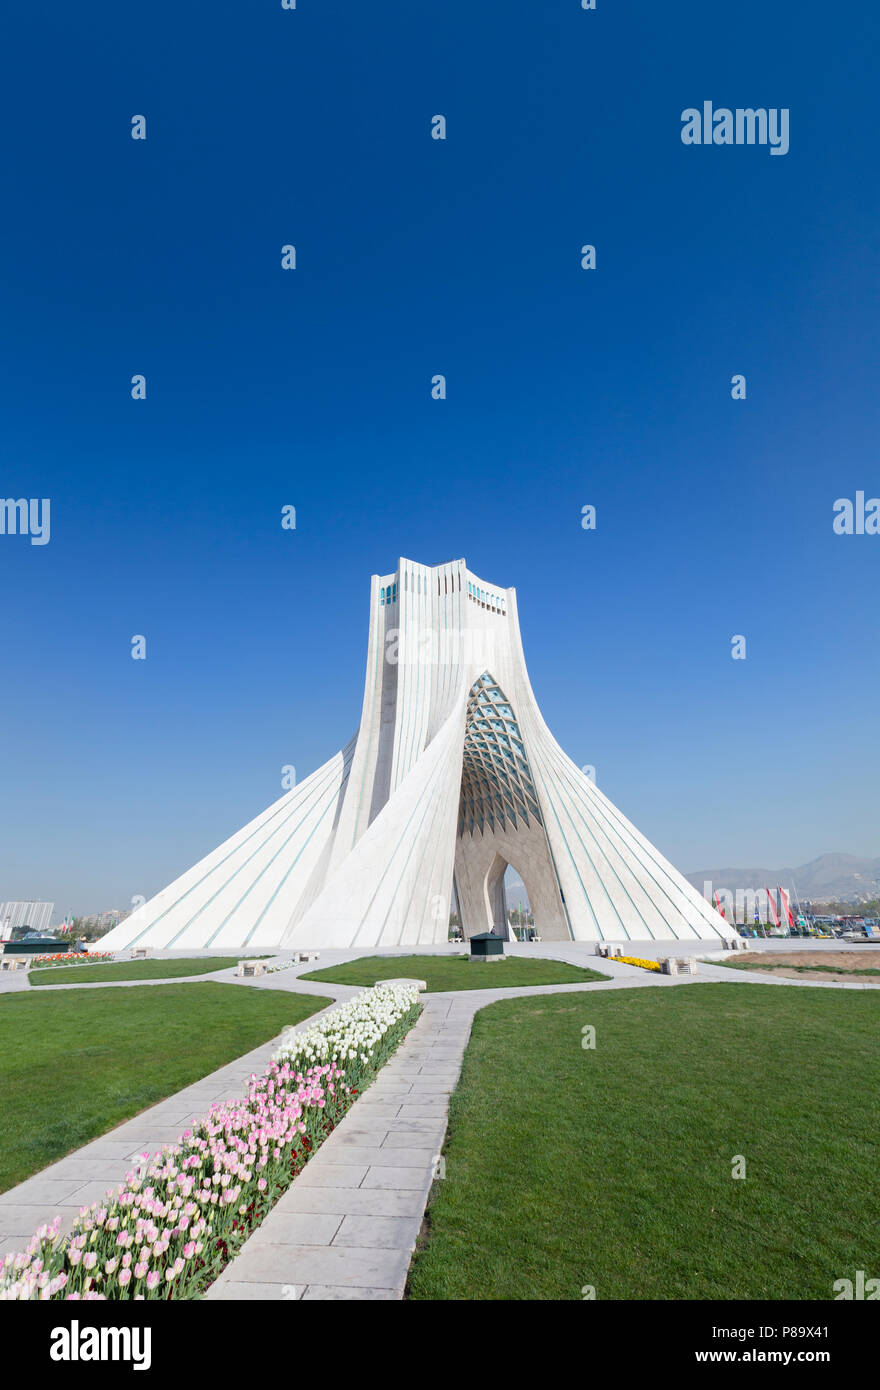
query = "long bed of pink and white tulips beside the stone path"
x=169 y=1231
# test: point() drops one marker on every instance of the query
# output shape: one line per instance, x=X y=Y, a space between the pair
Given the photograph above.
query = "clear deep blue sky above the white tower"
x=567 y=387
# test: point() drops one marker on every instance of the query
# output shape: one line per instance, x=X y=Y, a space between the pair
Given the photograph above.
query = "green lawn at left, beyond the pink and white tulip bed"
x=83 y=1061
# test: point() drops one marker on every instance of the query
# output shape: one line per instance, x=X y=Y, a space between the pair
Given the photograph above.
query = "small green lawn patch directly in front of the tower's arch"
x=455 y=972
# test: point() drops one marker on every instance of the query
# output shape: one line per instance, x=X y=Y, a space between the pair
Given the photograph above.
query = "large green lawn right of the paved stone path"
x=612 y=1168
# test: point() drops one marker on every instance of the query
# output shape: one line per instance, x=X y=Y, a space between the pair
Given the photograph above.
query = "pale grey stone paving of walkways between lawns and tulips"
x=348 y=1225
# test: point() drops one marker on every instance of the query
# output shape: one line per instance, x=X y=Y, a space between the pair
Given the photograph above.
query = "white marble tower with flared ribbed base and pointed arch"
x=453 y=776
